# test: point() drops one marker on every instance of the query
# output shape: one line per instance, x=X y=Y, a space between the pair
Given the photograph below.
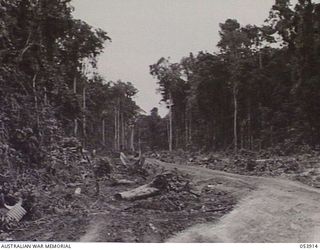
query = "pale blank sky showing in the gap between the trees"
x=143 y=31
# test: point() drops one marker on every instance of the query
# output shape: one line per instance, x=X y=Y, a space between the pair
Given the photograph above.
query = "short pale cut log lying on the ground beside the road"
x=141 y=192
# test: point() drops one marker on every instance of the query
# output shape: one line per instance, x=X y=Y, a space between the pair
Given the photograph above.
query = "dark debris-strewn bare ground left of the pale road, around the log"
x=103 y=218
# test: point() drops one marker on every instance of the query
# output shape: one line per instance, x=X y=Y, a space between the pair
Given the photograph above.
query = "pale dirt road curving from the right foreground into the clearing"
x=270 y=209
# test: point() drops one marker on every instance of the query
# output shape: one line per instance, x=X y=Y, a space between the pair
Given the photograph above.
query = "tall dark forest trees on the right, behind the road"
x=260 y=90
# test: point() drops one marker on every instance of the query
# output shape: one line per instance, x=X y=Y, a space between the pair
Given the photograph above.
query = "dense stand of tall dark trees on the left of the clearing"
x=44 y=85
